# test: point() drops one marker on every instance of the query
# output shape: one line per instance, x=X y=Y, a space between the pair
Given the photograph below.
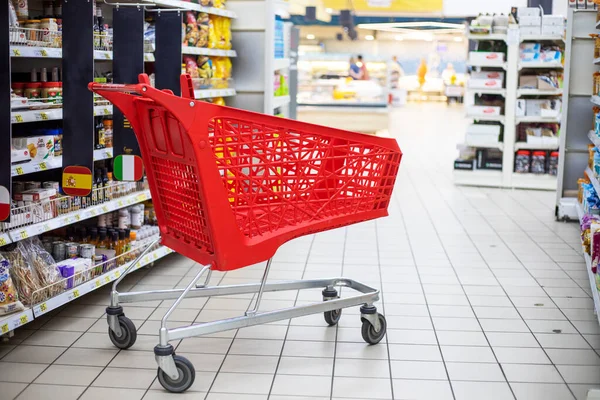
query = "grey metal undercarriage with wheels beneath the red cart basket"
x=373 y=322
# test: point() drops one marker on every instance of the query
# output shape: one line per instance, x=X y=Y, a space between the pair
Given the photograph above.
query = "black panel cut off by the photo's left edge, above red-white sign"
x=5 y=122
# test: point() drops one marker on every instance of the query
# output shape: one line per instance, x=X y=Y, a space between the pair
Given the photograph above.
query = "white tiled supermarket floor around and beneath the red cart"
x=485 y=294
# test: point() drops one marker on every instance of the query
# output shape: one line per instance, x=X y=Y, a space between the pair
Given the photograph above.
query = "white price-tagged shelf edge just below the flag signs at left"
x=25 y=232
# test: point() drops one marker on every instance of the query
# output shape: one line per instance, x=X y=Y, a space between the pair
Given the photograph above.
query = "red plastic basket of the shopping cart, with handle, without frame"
x=231 y=186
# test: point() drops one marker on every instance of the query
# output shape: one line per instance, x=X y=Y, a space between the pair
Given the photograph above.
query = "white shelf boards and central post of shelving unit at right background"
x=513 y=67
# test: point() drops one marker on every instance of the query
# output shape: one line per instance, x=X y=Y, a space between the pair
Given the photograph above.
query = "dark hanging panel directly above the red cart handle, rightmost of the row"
x=168 y=51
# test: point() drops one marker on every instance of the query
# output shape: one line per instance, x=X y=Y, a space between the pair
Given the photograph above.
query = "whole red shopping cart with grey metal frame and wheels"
x=229 y=187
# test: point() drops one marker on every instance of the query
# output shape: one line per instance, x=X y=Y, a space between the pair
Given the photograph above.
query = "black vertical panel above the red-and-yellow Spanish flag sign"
x=78 y=71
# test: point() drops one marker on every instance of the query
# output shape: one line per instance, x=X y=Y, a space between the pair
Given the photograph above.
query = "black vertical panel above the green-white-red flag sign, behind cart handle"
x=128 y=63
